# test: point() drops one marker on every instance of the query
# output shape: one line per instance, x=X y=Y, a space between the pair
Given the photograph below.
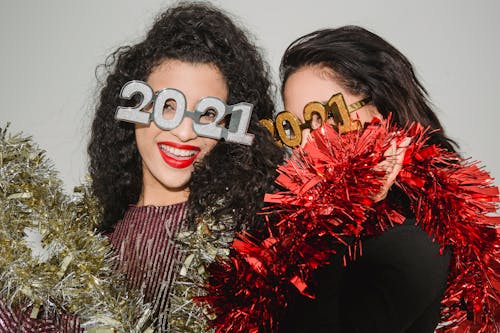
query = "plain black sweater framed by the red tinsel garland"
x=395 y=286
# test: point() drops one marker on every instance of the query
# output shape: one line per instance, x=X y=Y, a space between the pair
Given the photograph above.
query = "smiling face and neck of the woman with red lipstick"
x=168 y=157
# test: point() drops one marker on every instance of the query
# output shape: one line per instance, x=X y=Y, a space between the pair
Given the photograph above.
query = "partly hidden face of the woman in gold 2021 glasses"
x=318 y=84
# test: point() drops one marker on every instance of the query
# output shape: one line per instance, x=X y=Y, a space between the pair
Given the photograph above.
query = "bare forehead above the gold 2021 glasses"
x=308 y=84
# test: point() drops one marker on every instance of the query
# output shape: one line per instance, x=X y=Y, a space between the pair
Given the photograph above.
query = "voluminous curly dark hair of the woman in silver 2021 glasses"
x=238 y=174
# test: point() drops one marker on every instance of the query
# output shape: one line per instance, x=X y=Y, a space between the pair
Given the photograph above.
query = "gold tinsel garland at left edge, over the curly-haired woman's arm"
x=51 y=258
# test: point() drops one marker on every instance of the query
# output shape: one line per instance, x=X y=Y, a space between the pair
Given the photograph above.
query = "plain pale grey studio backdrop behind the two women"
x=50 y=49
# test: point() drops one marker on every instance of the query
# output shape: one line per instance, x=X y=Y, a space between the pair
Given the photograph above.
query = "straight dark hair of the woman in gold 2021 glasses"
x=369 y=66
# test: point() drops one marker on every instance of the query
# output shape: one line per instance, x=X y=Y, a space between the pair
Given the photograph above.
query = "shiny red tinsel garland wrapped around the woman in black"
x=329 y=185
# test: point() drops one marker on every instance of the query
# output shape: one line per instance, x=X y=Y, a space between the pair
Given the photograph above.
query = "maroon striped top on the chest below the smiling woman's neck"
x=144 y=242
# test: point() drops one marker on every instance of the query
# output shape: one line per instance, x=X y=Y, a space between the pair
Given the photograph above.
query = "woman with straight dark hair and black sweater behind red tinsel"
x=396 y=285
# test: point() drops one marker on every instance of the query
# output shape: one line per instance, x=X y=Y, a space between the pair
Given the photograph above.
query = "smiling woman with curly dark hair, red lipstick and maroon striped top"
x=152 y=183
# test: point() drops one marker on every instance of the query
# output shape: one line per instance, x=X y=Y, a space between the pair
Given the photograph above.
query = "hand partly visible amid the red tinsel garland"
x=392 y=165
